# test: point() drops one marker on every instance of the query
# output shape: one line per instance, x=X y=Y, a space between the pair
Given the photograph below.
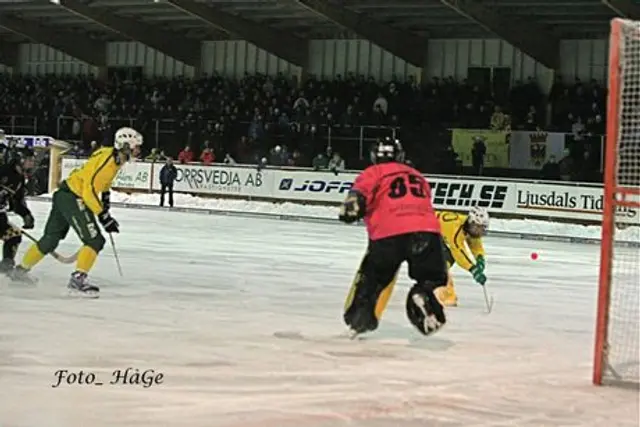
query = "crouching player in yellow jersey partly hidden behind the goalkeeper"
x=463 y=238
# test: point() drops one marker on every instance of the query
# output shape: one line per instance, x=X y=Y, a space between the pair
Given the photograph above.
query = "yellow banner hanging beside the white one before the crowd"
x=497 y=143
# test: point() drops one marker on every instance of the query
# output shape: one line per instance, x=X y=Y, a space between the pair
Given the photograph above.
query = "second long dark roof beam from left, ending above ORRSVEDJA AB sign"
x=174 y=45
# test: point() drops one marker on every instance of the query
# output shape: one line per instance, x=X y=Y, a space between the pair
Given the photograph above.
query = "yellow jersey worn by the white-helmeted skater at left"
x=94 y=177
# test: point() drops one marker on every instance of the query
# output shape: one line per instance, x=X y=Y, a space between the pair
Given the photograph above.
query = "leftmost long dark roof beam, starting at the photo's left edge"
x=79 y=46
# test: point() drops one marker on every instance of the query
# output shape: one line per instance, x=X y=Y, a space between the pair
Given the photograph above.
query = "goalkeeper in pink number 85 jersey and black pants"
x=395 y=201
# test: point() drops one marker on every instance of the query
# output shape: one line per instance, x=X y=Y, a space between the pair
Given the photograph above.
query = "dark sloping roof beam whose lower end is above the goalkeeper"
x=401 y=43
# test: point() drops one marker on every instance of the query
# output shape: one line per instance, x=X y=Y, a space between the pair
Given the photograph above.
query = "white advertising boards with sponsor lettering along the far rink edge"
x=517 y=198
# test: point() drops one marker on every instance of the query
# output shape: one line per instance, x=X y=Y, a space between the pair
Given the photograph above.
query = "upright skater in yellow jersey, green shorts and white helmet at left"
x=82 y=197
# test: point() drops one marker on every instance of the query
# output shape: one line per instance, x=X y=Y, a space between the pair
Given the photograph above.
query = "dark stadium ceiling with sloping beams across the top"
x=81 y=28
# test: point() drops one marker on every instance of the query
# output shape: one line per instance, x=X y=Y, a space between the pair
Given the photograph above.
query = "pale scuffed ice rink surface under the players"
x=214 y=303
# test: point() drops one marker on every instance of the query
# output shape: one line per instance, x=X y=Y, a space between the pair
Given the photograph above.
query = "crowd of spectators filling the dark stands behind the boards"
x=273 y=120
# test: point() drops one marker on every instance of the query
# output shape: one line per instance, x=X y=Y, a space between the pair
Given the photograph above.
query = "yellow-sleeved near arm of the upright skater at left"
x=102 y=171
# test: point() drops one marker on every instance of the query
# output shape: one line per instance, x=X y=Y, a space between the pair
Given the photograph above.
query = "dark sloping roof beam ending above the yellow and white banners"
x=533 y=39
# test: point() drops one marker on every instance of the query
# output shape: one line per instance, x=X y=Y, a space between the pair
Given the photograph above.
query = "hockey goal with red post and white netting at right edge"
x=617 y=348
